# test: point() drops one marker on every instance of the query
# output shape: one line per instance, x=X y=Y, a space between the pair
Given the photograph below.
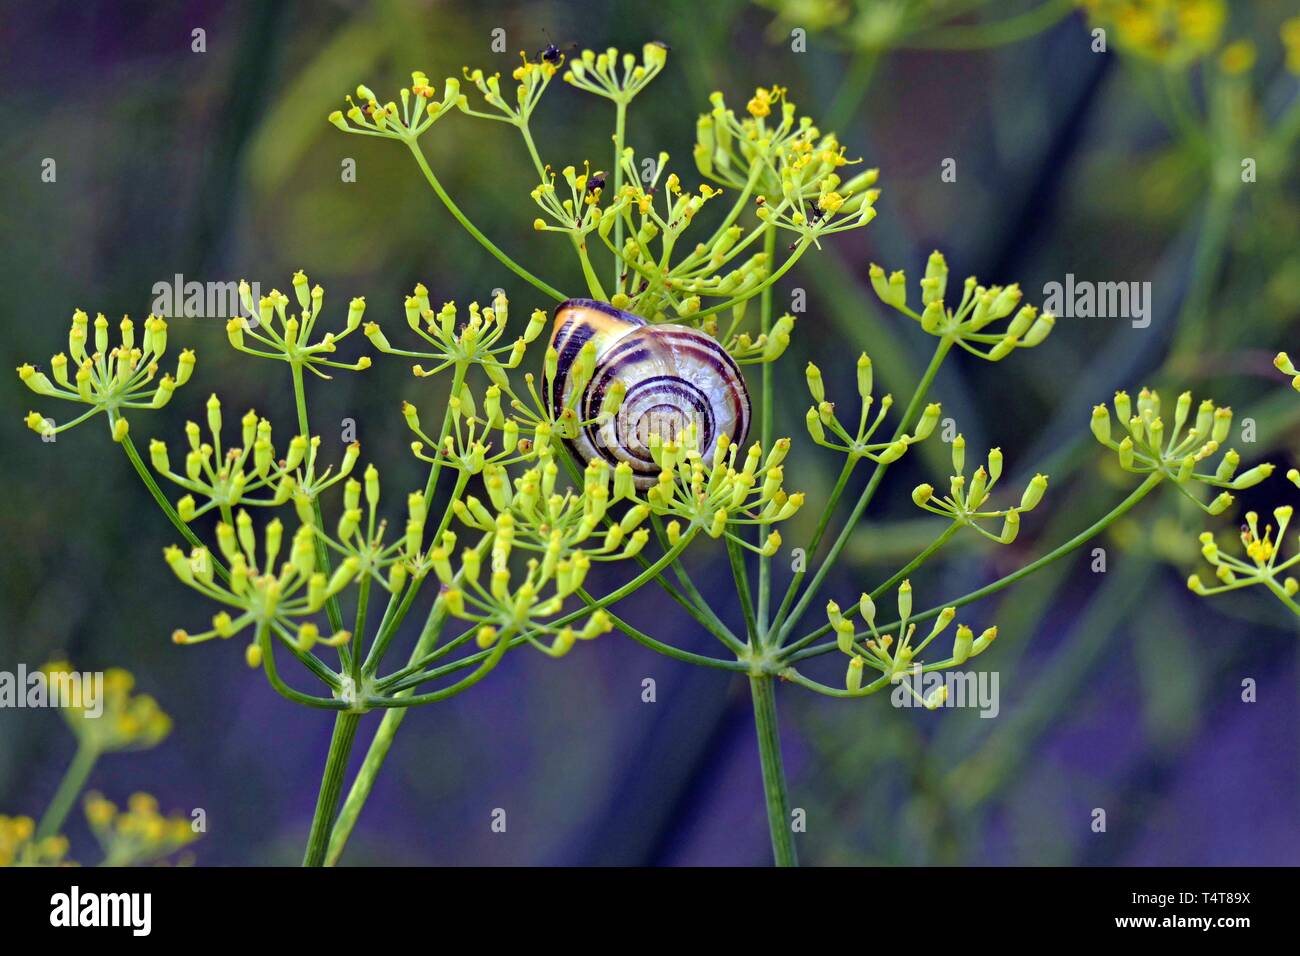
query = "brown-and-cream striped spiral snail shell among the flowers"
x=674 y=377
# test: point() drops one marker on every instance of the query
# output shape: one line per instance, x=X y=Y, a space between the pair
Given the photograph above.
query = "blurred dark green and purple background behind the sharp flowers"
x=1119 y=690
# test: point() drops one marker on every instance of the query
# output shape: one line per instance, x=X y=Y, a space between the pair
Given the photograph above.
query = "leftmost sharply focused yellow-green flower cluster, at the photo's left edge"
x=109 y=380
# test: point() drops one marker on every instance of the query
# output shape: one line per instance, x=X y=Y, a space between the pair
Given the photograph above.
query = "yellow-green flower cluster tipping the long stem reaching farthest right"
x=1149 y=451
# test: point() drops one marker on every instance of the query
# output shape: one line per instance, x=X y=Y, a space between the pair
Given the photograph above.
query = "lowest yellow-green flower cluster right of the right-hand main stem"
x=895 y=659
